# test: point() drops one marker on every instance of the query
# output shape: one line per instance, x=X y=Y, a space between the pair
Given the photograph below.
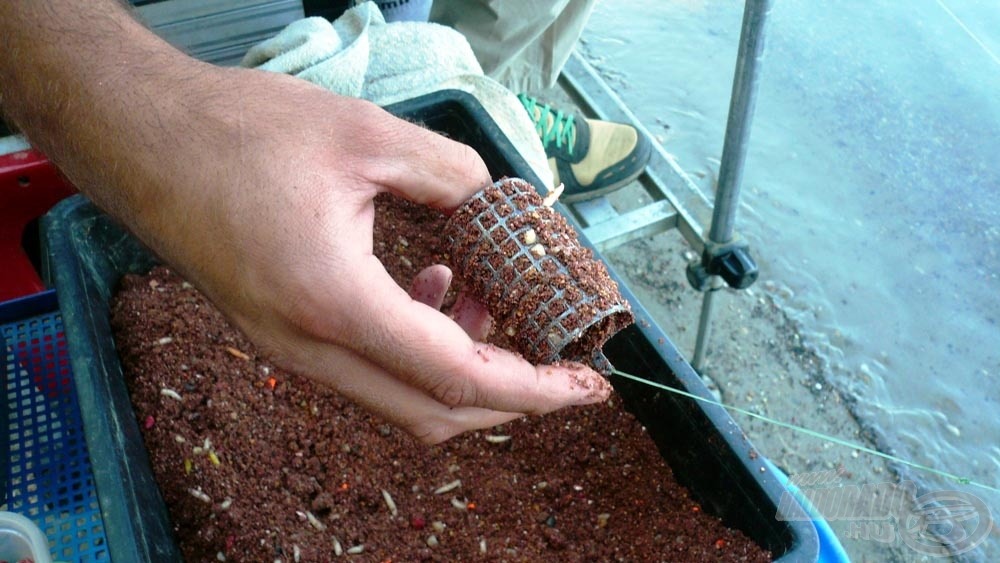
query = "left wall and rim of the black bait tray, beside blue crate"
x=136 y=522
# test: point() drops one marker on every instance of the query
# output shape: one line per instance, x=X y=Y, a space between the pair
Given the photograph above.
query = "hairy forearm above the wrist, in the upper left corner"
x=73 y=74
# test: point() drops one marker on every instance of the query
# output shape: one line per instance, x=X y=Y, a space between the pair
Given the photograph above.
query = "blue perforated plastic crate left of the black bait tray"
x=49 y=477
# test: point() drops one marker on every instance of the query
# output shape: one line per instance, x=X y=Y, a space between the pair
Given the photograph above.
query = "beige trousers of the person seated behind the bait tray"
x=523 y=44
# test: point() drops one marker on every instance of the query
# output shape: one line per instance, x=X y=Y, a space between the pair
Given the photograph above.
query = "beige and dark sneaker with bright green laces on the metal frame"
x=588 y=156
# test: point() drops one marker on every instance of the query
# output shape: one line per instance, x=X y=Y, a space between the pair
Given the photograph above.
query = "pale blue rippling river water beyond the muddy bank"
x=871 y=193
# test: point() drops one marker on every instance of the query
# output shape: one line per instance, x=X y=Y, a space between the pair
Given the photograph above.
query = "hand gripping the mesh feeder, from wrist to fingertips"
x=286 y=215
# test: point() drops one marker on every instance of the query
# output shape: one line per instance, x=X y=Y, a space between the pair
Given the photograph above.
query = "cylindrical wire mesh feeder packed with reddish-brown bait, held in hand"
x=546 y=292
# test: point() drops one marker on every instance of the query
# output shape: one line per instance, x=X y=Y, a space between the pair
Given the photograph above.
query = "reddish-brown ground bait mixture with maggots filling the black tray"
x=256 y=464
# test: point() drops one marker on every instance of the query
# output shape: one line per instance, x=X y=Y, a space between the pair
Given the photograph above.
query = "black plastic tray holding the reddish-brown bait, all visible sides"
x=87 y=253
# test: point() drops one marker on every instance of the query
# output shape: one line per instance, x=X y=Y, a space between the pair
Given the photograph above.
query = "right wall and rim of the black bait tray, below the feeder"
x=737 y=487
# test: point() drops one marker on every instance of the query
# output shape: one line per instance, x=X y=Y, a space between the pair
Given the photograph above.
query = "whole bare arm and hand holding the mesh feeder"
x=258 y=188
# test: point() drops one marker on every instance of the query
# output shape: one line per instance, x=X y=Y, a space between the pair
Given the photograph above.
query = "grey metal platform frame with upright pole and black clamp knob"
x=677 y=201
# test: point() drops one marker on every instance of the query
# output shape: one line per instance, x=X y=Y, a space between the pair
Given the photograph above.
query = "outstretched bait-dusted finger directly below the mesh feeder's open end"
x=431 y=352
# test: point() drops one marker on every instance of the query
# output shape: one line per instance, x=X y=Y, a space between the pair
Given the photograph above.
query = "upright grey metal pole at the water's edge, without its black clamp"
x=741 y=108
